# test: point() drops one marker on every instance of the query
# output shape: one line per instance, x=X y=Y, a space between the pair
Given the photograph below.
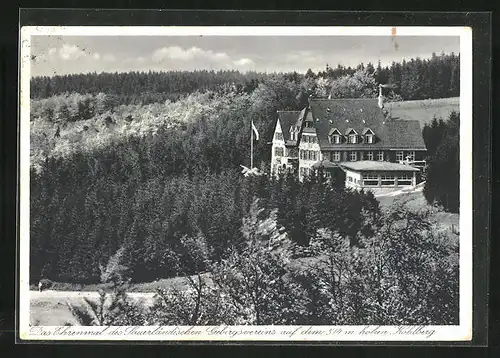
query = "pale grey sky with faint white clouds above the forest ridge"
x=59 y=55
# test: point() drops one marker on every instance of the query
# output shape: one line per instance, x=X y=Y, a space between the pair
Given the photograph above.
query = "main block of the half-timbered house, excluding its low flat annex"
x=333 y=132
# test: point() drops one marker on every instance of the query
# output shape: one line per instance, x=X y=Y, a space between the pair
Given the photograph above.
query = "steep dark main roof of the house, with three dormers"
x=360 y=114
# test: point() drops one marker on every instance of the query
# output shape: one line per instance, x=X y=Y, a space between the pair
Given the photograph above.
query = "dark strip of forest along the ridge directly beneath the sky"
x=436 y=77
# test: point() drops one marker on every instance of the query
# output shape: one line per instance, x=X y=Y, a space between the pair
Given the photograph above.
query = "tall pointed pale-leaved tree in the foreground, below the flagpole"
x=253 y=277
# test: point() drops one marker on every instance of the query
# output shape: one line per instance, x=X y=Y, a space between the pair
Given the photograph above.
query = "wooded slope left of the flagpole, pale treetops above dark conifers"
x=143 y=175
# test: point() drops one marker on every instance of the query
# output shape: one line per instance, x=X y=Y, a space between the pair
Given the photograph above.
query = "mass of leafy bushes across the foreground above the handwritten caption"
x=404 y=273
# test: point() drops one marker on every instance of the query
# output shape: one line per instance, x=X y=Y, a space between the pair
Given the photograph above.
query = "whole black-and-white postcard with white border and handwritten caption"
x=246 y=183
